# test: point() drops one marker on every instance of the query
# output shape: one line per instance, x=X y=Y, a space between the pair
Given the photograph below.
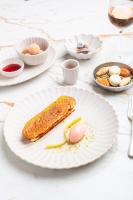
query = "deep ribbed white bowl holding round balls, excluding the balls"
x=33 y=59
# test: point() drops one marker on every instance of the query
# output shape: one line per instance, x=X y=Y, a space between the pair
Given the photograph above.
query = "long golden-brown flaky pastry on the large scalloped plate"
x=52 y=115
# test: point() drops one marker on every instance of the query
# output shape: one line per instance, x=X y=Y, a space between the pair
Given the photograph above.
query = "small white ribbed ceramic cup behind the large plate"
x=70 y=69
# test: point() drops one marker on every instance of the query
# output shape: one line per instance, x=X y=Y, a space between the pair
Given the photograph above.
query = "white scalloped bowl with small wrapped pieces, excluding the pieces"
x=94 y=44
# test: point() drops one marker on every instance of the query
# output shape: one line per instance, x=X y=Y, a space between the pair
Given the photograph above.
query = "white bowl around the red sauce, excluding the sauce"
x=8 y=62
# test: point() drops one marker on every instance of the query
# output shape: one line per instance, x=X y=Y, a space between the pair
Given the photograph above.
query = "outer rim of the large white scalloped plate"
x=74 y=166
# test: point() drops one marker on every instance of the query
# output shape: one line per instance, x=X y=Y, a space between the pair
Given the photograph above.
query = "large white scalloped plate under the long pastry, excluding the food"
x=93 y=108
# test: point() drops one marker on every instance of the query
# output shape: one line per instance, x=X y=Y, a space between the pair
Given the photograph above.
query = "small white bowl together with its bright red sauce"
x=11 y=67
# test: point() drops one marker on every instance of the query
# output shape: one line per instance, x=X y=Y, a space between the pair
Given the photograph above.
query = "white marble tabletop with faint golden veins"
x=111 y=177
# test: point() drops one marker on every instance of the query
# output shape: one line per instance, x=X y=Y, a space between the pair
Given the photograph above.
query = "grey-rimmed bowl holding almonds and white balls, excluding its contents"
x=109 y=88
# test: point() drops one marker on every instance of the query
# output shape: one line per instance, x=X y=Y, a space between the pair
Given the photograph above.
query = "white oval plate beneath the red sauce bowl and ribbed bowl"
x=29 y=72
